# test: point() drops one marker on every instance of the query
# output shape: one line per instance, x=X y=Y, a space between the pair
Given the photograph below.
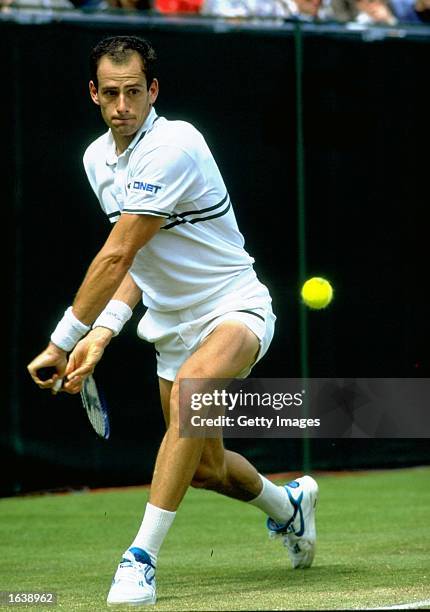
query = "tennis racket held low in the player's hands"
x=93 y=402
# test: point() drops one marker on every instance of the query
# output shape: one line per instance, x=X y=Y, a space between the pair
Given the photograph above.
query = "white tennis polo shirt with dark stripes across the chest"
x=168 y=171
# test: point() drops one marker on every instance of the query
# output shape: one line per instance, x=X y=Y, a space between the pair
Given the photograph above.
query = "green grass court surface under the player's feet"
x=373 y=548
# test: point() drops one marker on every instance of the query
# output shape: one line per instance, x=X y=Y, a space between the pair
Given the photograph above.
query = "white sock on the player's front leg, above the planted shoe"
x=155 y=525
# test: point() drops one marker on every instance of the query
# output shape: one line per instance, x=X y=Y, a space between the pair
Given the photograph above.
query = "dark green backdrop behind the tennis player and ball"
x=322 y=136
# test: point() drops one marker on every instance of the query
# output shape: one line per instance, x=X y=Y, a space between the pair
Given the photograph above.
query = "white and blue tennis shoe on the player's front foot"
x=134 y=580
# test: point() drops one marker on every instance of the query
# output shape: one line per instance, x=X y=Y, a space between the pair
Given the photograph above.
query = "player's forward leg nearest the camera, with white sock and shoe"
x=227 y=351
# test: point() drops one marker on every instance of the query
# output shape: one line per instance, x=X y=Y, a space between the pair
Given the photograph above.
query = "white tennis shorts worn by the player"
x=178 y=334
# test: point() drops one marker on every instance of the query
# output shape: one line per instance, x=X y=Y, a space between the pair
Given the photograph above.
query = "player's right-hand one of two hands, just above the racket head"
x=84 y=358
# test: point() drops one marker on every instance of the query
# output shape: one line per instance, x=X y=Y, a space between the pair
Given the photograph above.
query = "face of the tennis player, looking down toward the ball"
x=123 y=97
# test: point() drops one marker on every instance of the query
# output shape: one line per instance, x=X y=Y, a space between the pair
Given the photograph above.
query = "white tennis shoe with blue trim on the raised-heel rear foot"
x=299 y=533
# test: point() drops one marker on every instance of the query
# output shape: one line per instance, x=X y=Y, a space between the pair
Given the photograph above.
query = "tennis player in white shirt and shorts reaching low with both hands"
x=175 y=244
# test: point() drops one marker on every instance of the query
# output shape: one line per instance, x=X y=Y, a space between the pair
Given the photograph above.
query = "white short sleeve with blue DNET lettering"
x=159 y=179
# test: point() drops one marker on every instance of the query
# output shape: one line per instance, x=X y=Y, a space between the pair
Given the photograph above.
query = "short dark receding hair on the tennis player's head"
x=119 y=49
